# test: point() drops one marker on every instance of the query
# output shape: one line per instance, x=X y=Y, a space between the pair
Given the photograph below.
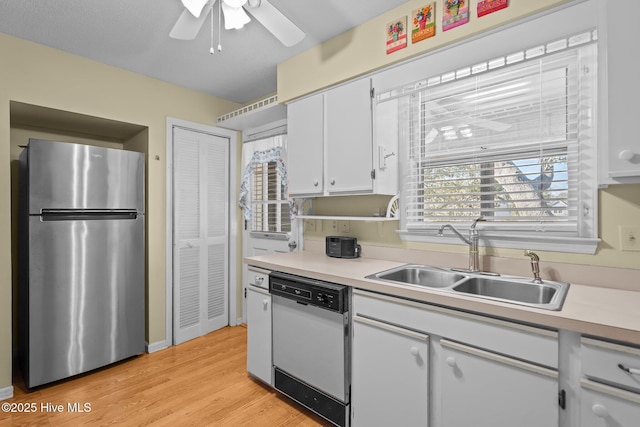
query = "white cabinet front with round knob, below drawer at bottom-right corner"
x=604 y=406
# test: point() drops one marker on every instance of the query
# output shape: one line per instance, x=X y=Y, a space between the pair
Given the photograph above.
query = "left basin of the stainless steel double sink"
x=420 y=275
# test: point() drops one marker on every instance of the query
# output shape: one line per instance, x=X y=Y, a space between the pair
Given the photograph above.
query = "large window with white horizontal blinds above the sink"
x=511 y=140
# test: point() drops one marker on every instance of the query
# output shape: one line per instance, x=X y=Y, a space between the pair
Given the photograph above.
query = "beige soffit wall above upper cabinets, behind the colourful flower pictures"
x=362 y=50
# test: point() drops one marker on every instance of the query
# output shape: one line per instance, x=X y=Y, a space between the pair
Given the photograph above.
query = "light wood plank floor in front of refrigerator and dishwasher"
x=202 y=382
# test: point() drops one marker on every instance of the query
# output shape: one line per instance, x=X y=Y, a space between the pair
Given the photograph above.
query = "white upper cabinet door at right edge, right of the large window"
x=624 y=88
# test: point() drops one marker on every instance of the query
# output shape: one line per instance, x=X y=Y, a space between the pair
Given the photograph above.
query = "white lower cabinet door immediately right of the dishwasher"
x=390 y=375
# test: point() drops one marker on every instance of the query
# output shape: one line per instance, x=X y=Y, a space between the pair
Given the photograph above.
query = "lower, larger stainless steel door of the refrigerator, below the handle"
x=86 y=295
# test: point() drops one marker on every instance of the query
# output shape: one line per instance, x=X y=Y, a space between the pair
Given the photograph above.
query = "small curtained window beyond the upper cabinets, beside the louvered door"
x=270 y=210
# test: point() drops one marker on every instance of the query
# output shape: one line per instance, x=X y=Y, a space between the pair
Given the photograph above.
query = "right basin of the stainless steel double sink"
x=549 y=295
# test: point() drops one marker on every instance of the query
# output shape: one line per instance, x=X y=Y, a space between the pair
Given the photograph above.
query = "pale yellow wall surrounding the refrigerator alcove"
x=34 y=74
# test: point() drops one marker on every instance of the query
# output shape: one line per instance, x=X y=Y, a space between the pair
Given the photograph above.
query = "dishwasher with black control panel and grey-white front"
x=311 y=344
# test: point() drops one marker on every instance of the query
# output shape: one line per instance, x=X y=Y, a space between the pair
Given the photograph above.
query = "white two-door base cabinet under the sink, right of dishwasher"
x=476 y=371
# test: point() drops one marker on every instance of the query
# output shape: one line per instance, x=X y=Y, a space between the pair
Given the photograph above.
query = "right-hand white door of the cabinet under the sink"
x=484 y=389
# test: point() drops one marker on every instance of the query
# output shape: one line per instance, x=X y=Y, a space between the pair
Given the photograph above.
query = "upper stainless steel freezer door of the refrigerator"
x=74 y=176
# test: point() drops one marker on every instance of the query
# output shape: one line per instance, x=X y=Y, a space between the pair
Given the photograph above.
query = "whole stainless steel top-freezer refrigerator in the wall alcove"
x=81 y=259
